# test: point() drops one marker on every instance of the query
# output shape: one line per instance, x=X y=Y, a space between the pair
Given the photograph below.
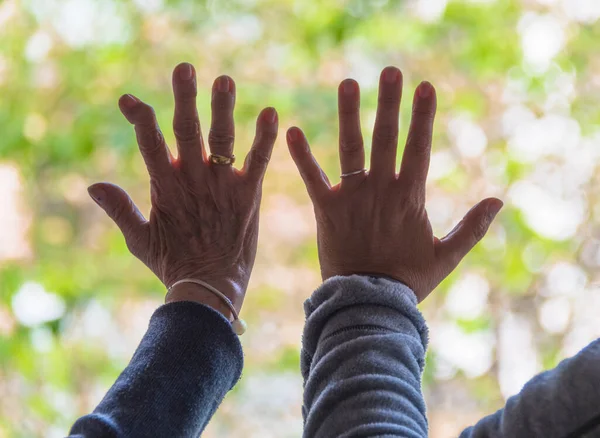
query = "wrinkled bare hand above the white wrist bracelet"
x=204 y=218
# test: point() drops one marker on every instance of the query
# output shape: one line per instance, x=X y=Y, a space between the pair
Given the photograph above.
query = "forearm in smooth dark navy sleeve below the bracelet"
x=187 y=361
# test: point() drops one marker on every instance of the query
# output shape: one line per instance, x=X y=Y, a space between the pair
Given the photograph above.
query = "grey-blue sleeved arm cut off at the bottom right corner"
x=560 y=403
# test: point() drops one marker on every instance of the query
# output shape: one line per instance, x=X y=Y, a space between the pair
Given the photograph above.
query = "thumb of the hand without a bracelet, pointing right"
x=464 y=236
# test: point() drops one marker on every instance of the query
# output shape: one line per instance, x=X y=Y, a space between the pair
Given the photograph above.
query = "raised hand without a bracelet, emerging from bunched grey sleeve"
x=375 y=222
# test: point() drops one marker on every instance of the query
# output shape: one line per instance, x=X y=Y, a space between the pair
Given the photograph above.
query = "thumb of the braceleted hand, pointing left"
x=121 y=209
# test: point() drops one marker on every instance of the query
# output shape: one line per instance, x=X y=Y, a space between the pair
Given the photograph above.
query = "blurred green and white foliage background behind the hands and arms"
x=518 y=83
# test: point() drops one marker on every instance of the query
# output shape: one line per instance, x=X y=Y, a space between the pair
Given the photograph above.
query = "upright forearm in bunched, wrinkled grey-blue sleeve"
x=363 y=354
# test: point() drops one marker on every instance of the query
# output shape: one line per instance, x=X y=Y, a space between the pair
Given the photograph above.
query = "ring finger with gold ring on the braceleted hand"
x=222 y=130
